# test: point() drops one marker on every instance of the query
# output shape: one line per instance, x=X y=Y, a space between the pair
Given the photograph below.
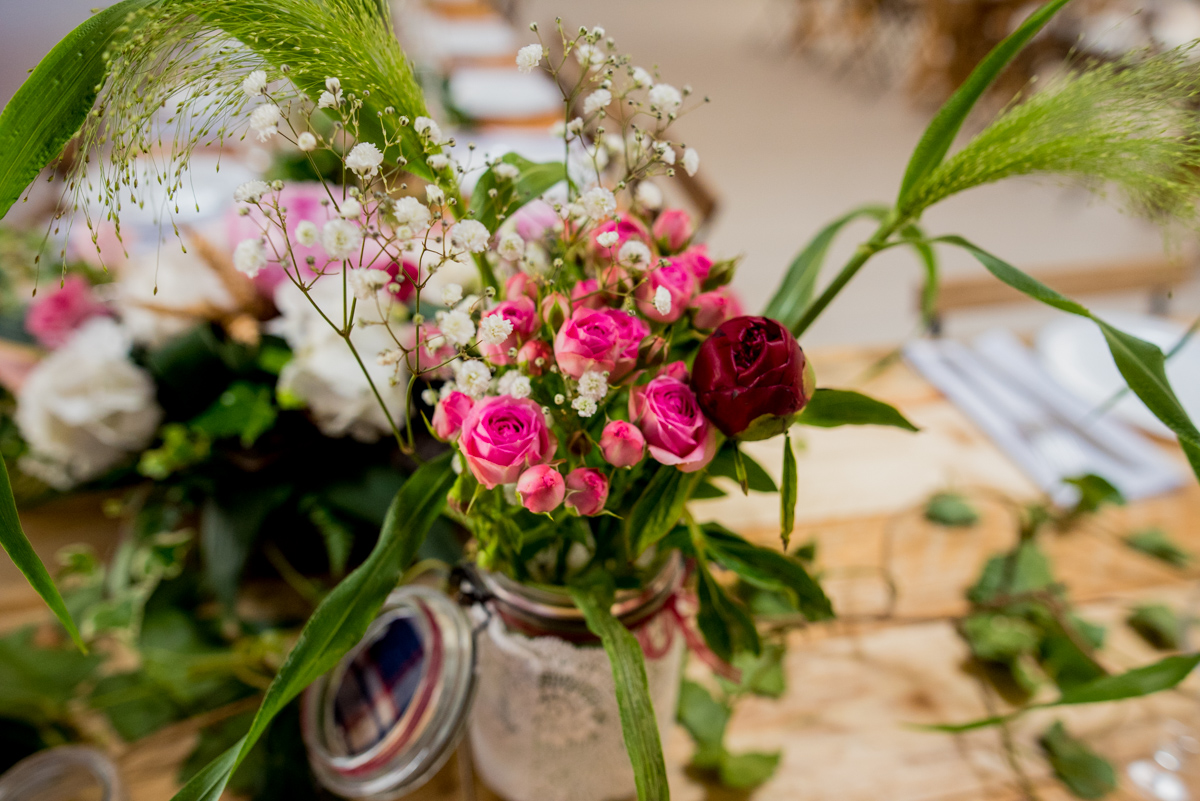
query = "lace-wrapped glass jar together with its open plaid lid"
x=521 y=673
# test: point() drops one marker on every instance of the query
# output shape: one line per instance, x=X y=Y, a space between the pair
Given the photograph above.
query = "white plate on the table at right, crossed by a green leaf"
x=1075 y=352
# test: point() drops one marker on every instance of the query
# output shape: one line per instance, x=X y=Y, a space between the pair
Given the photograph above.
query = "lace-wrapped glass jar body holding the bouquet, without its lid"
x=545 y=725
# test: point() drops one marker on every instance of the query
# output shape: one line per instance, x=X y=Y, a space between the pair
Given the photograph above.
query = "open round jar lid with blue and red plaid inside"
x=389 y=715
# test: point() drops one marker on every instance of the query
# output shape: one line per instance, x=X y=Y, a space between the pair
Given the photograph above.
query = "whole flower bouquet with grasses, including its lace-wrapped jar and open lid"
x=584 y=358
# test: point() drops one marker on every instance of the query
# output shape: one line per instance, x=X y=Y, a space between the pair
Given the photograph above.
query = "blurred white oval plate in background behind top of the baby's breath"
x=503 y=94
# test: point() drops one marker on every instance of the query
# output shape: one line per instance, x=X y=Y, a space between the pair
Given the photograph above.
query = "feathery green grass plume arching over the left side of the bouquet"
x=178 y=81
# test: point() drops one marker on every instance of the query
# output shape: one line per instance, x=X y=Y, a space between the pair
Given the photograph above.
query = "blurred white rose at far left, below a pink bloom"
x=87 y=407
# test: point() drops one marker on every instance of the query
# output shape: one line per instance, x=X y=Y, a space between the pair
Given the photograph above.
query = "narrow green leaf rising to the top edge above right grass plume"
x=937 y=142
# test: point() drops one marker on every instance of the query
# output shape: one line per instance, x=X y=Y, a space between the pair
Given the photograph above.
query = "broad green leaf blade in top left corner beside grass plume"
x=55 y=101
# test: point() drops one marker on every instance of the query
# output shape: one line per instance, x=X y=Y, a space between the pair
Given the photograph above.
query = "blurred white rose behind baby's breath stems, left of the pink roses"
x=323 y=372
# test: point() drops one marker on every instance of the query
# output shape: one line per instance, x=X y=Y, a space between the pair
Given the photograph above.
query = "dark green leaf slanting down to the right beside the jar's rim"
x=769 y=570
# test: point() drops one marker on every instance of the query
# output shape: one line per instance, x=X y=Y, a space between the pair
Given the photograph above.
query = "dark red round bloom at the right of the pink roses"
x=752 y=378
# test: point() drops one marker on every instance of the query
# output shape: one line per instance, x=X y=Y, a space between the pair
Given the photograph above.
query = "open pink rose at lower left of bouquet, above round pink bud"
x=502 y=437
